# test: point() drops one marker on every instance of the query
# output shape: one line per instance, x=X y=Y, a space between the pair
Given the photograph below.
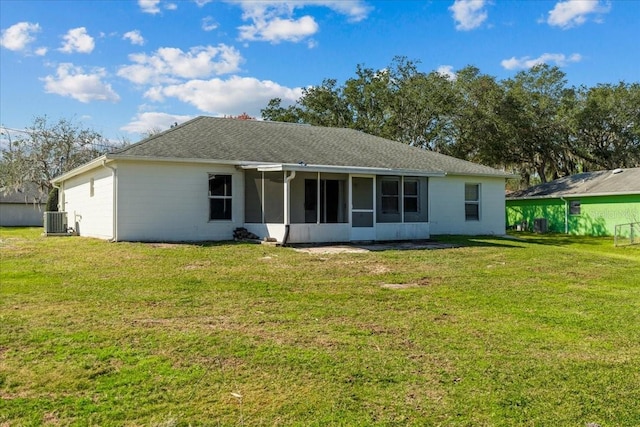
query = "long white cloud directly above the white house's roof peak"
x=228 y=97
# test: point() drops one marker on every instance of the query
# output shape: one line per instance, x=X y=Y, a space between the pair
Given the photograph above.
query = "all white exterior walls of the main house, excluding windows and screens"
x=159 y=201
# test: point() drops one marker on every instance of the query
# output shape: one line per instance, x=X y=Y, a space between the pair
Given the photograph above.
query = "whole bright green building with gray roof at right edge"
x=589 y=203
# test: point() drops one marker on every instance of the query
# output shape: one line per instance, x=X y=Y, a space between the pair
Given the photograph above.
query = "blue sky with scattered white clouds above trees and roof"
x=123 y=68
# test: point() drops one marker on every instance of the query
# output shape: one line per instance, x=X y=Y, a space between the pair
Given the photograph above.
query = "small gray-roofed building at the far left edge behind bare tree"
x=22 y=208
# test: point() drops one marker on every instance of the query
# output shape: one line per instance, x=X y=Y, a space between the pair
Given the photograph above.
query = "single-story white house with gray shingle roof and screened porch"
x=293 y=183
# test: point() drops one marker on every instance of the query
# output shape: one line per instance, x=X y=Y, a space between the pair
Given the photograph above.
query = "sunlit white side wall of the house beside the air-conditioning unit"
x=90 y=216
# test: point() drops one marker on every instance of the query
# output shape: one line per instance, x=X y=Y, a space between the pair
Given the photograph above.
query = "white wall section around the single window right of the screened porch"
x=446 y=206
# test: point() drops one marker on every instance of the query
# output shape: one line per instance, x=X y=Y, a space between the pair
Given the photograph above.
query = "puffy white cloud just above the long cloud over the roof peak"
x=167 y=65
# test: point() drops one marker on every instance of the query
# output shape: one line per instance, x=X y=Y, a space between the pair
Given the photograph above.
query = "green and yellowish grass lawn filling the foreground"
x=543 y=331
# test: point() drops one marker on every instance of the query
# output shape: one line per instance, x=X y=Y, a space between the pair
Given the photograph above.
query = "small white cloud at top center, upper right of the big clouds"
x=277 y=30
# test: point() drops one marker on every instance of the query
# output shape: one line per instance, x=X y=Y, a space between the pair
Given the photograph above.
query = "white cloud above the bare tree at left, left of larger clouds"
x=73 y=82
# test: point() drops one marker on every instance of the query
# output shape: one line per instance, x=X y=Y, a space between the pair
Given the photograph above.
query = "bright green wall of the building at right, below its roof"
x=598 y=214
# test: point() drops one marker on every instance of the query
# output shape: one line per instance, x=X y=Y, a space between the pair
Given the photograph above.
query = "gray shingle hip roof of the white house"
x=239 y=141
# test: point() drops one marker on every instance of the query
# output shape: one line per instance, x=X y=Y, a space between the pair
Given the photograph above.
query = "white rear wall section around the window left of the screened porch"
x=169 y=202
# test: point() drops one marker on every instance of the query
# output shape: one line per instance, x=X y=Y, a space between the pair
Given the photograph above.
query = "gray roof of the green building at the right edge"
x=618 y=181
